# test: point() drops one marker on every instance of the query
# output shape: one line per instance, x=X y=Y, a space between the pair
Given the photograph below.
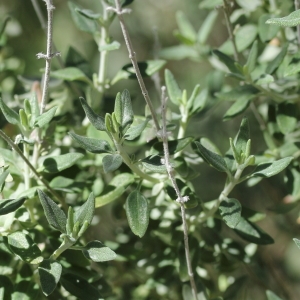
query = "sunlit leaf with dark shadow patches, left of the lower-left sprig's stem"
x=23 y=246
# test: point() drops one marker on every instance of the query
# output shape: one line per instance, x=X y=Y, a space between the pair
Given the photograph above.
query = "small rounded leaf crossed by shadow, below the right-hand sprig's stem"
x=230 y=211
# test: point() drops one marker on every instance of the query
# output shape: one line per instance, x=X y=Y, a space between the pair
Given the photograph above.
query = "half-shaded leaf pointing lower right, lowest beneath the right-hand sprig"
x=252 y=233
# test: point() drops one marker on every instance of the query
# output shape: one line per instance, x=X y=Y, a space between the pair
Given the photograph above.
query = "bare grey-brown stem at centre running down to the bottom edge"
x=181 y=199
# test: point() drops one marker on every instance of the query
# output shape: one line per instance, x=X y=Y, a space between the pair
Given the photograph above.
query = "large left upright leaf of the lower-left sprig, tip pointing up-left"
x=54 y=214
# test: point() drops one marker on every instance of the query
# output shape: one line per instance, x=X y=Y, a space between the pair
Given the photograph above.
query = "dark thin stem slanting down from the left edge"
x=31 y=167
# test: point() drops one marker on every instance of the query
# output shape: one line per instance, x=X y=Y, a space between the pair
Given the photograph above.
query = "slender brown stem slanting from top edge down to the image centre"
x=132 y=55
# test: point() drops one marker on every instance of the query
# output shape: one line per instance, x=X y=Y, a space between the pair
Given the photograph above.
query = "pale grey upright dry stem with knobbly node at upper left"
x=49 y=55
